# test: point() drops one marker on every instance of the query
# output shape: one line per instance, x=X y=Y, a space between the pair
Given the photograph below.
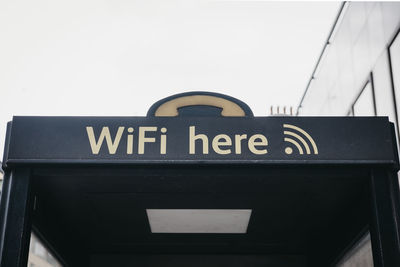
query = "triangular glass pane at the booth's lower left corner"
x=39 y=256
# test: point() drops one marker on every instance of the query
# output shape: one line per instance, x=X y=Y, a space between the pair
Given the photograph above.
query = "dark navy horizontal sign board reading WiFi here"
x=126 y=140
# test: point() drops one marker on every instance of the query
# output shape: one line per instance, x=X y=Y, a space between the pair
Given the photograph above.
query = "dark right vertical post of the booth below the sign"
x=385 y=218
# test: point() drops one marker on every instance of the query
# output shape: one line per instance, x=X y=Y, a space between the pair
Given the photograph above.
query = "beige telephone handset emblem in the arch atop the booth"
x=170 y=108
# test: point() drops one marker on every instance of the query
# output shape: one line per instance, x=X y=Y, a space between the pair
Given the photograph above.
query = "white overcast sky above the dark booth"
x=117 y=57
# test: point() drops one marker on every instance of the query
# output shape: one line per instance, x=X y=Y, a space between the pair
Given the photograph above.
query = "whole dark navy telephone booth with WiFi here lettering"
x=200 y=181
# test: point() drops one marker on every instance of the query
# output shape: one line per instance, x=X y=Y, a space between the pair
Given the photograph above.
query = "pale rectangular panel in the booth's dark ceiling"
x=198 y=220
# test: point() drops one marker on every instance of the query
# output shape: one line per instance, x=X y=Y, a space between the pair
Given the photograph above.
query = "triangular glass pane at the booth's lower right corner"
x=359 y=255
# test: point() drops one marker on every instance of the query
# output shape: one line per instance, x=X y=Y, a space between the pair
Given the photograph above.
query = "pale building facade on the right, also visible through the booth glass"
x=358 y=74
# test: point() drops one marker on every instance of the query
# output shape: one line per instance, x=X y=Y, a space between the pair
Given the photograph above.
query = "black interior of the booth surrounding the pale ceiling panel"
x=300 y=216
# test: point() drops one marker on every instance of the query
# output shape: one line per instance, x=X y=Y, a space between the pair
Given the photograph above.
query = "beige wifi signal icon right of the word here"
x=297 y=136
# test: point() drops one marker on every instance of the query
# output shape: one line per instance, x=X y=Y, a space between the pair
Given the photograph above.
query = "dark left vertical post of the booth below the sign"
x=15 y=221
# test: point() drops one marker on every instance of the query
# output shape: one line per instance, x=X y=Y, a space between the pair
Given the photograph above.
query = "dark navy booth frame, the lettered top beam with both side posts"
x=375 y=149
